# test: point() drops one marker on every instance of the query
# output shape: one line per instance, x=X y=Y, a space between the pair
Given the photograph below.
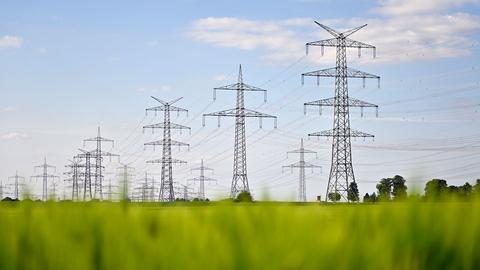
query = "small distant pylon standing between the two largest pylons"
x=301 y=165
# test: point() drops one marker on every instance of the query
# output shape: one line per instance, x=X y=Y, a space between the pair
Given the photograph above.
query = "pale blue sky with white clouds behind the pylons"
x=66 y=68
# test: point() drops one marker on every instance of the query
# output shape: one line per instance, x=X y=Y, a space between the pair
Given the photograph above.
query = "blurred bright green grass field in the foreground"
x=104 y=235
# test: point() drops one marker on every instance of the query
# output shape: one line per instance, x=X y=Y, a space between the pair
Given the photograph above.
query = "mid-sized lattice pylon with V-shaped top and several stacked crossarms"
x=167 y=193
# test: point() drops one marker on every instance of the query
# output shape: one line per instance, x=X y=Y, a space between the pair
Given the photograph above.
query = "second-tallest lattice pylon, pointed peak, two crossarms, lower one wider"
x=240 y=180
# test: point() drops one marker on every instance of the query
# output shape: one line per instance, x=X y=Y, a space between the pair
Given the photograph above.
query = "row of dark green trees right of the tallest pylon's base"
x=395 y=189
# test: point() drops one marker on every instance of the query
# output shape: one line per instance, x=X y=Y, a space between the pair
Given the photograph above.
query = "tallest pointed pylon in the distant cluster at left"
x=98 y=155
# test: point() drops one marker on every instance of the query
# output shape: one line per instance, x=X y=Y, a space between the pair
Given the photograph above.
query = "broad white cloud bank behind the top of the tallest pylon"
x=419 y=34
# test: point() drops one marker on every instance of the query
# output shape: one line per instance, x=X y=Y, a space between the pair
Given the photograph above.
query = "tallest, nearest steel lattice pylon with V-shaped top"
x=341 y=171
